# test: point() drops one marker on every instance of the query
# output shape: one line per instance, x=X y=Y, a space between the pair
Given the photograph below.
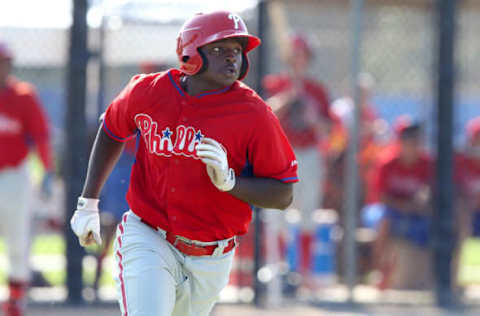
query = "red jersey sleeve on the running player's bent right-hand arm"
x=270 y=153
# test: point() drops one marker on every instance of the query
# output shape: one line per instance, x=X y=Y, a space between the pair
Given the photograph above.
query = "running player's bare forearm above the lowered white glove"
x=104 y=156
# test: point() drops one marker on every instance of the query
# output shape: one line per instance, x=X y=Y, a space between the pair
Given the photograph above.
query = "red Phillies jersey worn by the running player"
x=169 y=185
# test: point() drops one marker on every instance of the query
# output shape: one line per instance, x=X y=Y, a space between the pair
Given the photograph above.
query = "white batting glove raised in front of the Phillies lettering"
x=215 y=158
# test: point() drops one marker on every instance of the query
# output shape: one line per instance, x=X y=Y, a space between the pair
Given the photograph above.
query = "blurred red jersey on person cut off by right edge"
x=467 y=176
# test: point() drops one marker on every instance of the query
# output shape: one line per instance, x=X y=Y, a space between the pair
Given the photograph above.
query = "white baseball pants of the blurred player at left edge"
x=15 y=211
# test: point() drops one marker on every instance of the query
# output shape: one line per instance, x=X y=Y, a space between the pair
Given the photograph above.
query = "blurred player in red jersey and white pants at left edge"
x=23 y=127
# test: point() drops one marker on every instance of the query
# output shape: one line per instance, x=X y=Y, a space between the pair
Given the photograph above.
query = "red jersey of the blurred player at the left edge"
x=22 y=124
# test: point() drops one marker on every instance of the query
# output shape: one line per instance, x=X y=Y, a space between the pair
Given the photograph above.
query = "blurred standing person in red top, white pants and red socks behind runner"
x=302 y=106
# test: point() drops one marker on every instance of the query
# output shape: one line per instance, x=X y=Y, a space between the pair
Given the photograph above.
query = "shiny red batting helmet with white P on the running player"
x=207 y=28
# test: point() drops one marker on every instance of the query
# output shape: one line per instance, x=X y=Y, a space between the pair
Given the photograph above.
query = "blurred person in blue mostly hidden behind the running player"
x=114 y=203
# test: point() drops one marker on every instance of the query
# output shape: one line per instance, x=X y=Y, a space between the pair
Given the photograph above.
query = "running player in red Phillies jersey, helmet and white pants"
x=209 y=148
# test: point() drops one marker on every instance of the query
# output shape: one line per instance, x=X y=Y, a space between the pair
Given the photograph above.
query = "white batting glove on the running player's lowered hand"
x=85 y=222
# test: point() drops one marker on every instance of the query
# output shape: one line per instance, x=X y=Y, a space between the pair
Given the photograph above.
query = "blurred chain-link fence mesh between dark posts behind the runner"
x=304 y=247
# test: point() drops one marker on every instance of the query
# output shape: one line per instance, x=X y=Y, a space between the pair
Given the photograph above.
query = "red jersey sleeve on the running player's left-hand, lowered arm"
x=119 y=122
